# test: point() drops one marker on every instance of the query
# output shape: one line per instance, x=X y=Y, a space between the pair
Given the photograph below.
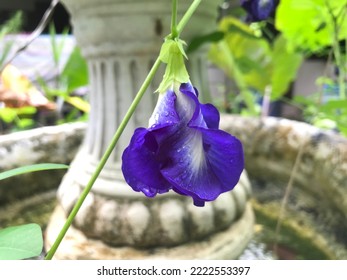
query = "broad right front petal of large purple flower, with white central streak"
x=205 y=165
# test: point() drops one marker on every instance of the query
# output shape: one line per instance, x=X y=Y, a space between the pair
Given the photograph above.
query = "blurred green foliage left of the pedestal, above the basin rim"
x=74 y=75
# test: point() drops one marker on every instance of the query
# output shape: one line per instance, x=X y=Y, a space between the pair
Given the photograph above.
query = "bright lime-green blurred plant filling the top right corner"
x=320 y=29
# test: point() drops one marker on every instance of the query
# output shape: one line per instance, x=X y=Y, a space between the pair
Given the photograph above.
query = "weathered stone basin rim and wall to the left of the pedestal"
x=55 y=144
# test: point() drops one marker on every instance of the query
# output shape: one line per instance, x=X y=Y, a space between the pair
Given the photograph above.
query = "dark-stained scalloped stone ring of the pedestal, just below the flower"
x=168 y=220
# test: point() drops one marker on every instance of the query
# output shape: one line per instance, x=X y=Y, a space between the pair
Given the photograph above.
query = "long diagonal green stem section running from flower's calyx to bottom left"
x=103 y=160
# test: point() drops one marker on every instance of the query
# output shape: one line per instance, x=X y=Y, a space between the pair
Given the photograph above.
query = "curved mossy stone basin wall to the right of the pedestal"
x=319 y=185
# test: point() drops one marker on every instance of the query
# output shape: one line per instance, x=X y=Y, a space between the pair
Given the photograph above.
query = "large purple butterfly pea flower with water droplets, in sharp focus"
x=183 y=150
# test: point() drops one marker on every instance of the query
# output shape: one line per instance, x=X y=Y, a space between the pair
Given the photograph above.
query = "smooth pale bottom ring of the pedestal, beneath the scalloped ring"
x=227 y=244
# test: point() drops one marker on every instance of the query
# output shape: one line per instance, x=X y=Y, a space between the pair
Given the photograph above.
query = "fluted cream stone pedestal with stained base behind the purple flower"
x=120 y=40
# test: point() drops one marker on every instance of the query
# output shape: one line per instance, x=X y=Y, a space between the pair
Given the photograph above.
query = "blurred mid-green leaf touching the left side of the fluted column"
x=75 y=72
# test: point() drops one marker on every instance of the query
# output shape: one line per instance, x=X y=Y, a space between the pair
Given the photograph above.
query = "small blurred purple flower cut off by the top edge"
x=258 y=10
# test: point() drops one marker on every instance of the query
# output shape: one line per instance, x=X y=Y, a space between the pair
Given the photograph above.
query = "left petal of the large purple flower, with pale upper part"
x=142 y=160
